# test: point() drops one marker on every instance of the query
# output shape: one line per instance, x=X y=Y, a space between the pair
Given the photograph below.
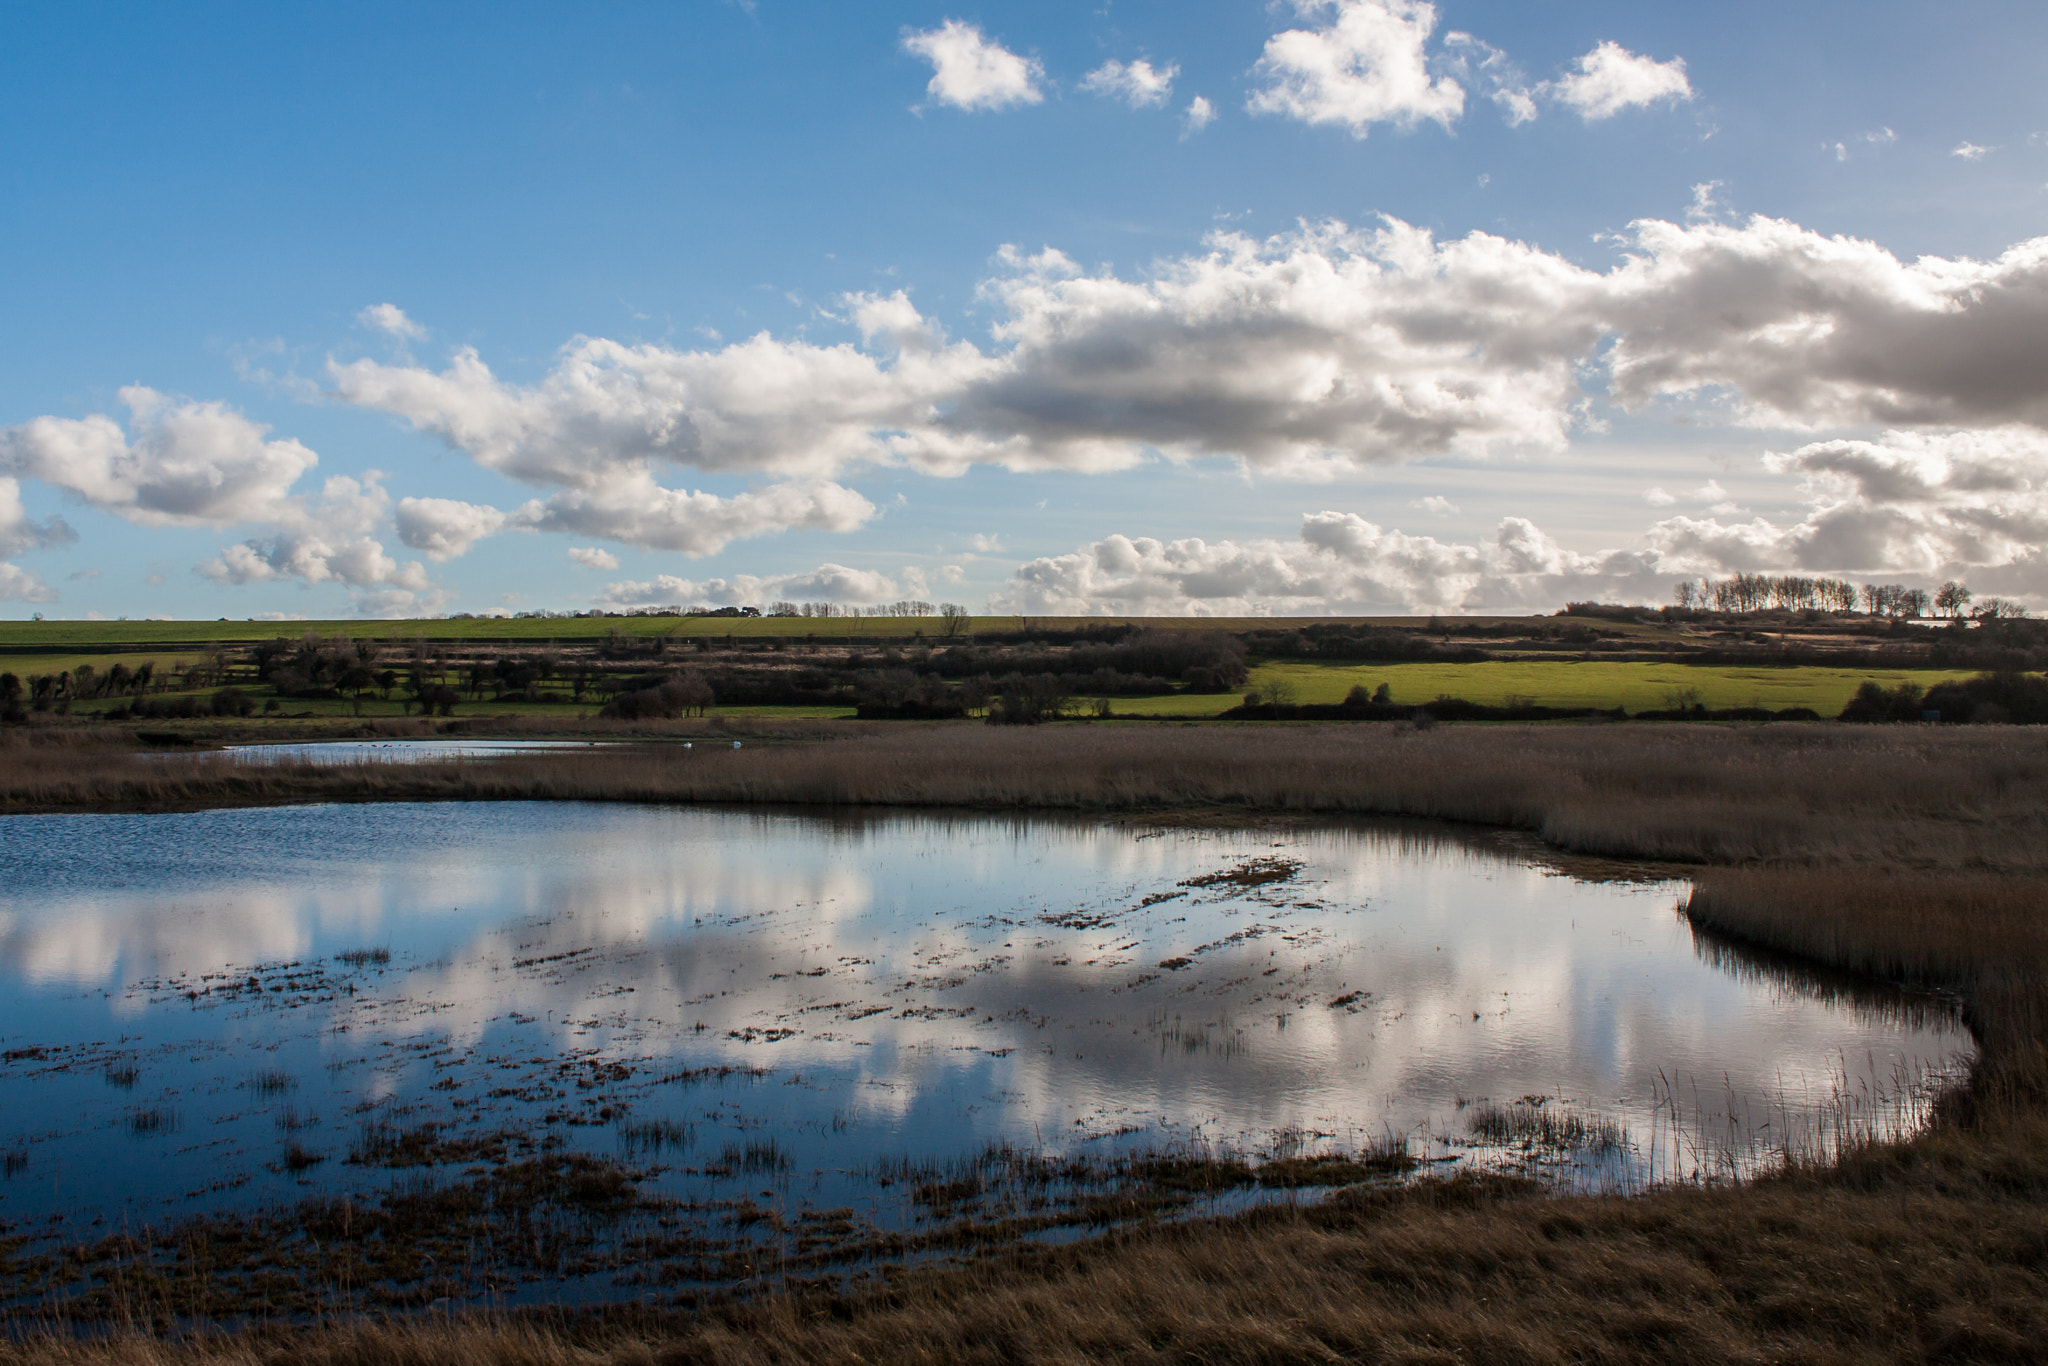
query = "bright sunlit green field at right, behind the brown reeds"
x=1555 y=683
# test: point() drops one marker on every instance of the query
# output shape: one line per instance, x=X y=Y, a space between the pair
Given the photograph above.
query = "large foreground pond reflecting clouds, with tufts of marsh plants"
x=241 y=1009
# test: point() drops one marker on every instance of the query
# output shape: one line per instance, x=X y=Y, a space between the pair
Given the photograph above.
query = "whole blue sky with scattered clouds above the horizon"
x=1097 y=308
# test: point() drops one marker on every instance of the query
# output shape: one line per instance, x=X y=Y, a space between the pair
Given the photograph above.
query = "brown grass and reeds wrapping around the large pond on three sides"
x=1904 y=853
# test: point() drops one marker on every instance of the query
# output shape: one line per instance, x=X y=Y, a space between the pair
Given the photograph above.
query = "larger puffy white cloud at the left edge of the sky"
x=177 y=466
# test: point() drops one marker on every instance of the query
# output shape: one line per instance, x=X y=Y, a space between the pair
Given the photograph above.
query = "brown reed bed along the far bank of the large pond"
x=1779 y=794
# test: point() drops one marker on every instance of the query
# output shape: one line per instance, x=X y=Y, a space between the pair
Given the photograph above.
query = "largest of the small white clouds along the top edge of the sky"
x=1367 y=65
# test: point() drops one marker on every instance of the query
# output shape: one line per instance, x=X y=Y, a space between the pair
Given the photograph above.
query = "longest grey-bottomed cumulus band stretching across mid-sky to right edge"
x=1310 y=353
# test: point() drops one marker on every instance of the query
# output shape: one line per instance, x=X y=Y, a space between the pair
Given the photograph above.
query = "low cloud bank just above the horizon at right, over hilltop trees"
x=1922 y=507
